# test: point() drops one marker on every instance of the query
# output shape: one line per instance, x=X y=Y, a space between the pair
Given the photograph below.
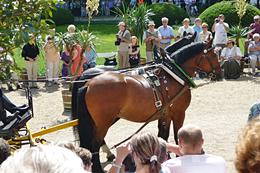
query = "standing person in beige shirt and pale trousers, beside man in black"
x=53 y=60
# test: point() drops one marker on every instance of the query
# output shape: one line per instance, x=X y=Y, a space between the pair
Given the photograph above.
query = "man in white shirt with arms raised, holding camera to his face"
x=220 y=28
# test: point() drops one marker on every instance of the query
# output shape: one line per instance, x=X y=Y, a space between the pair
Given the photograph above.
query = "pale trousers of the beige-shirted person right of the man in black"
x=52 y=70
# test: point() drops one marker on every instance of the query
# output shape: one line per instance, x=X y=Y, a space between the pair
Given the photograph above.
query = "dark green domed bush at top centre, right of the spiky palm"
x=174 y=13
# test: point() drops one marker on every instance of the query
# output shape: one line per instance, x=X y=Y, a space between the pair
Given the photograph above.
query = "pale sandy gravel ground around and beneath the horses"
x=219 y=108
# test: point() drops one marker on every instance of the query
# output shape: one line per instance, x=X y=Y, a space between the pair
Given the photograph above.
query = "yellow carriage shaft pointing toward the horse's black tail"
x=31 y=136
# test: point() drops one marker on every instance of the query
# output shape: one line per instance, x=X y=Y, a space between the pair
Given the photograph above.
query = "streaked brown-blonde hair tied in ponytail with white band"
x=147 y=148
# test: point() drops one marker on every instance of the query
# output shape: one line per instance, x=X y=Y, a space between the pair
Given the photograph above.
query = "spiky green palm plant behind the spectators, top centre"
x=136 y=18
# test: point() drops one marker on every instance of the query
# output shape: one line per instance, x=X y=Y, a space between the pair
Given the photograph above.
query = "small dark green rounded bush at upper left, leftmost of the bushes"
x=62 y=16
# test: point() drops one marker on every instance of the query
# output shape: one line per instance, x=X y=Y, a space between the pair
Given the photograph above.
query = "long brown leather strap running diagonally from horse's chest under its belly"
x=185 y=88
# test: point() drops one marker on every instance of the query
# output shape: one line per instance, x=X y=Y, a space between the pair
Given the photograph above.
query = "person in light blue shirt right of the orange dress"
x=90 y=57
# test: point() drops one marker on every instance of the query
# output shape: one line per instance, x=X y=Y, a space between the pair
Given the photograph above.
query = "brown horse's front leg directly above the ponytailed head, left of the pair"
x=164 y=127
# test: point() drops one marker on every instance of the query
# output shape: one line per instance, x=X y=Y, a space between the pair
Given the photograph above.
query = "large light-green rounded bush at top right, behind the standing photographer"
x=228 y=9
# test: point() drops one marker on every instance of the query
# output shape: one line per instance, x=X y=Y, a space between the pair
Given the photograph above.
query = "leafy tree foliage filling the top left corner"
x=19 y=18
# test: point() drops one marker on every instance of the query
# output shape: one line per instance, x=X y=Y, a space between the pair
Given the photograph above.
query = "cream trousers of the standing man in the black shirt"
x=32 y=70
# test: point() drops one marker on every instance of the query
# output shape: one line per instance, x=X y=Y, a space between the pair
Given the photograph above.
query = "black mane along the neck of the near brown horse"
x=187 y=52
